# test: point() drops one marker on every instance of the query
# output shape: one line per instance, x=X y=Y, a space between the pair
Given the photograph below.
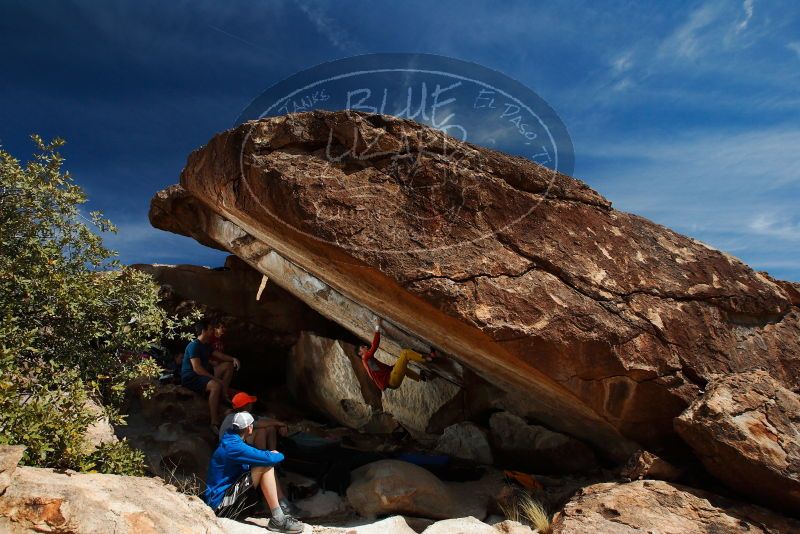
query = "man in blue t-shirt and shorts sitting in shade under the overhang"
x=195 y=373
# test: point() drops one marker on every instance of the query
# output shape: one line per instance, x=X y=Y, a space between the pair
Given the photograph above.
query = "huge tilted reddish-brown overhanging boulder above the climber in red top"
x=599 y=323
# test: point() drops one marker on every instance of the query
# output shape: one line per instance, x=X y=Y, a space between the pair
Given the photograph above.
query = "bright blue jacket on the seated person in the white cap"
x=230 y=461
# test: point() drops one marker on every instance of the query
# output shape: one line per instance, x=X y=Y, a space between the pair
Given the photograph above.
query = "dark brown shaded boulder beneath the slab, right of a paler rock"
x=533 y=448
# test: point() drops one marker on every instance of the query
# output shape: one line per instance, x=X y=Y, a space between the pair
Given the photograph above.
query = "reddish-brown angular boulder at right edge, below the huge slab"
x=746 y=430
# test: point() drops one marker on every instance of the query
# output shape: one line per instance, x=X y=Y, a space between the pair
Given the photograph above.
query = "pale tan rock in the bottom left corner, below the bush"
x=43 y=500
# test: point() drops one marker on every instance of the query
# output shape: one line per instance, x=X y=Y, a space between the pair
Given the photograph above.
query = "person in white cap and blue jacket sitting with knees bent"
x=240 y=475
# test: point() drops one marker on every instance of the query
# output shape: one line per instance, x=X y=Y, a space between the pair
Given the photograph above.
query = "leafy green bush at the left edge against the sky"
x=72 y=318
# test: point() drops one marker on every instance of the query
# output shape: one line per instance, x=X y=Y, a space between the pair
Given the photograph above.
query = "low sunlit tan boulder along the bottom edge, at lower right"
x=656 y=506
